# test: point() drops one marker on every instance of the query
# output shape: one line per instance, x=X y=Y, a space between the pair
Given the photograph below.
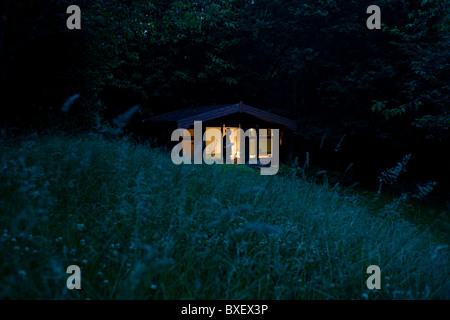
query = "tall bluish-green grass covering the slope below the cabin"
x=141 y=227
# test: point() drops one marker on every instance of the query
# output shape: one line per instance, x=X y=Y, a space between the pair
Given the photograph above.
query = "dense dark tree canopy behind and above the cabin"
x=315 y=61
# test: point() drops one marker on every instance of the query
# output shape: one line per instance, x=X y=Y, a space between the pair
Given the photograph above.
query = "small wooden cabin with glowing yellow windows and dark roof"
x=224 y=117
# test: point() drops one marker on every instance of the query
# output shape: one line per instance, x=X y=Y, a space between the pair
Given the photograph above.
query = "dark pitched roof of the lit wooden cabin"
x=185 y=118
